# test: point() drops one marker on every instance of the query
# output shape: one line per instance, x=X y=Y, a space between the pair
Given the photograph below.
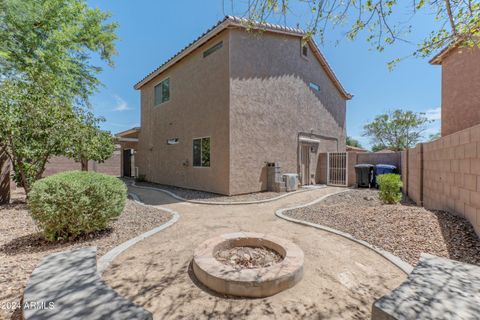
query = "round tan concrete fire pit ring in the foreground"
x=248 y=282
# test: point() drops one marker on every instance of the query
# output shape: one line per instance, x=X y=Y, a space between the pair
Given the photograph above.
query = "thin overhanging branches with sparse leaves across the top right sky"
x=452 y=20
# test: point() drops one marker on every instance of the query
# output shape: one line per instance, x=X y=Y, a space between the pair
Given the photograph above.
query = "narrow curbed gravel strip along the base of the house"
x=190 y=194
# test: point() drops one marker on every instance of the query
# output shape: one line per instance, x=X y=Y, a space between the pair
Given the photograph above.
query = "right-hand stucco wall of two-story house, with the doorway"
x=271 y=104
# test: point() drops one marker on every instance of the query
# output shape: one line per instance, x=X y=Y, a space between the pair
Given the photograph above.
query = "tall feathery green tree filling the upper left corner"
x=46 y=77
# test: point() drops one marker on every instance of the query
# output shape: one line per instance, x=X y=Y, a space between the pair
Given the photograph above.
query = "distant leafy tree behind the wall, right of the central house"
x=396 y=130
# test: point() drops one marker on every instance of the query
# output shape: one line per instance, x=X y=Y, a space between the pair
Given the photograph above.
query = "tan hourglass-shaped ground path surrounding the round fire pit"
x=341 y=278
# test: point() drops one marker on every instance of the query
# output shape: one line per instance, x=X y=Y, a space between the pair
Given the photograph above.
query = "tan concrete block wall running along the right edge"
x=445 y=174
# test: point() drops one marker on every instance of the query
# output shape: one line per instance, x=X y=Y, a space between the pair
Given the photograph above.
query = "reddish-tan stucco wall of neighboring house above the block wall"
x=460 y=90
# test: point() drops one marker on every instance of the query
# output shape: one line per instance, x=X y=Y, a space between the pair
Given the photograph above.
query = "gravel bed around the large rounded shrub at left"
x=22 y=246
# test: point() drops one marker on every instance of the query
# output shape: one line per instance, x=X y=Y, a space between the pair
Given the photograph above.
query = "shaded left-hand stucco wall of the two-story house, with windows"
x=198 y=107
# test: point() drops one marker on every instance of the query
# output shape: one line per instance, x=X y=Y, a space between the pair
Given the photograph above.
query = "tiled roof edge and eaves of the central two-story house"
x=231 y=21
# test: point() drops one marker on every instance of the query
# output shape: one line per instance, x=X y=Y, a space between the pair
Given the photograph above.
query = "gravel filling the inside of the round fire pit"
x=248 y=257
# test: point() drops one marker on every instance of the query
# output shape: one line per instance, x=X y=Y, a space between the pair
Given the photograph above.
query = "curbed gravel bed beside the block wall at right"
x=405 y=230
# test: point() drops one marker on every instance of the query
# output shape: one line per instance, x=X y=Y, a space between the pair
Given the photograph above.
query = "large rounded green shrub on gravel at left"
x=72 y=203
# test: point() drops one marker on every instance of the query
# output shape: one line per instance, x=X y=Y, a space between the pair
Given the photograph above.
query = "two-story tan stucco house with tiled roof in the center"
x=236 y=98
